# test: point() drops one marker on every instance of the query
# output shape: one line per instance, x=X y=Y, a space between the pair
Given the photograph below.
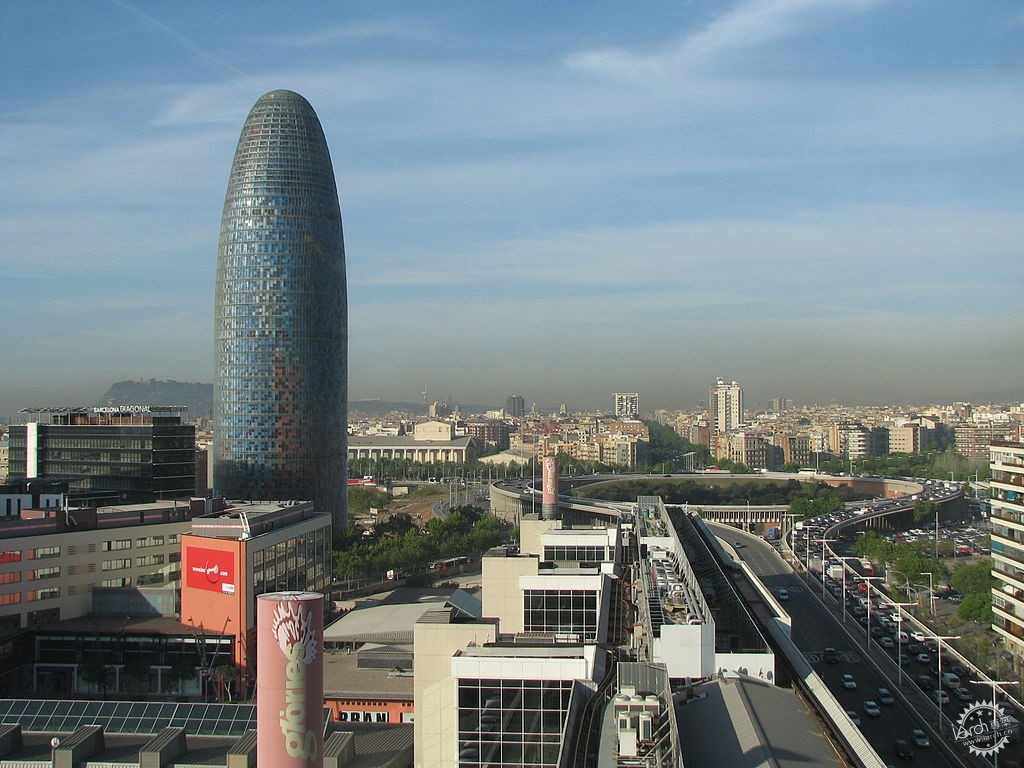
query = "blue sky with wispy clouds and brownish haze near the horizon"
x=821 y=199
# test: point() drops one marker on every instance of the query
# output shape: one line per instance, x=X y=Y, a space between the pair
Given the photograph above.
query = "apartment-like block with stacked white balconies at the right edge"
x=1008 y=545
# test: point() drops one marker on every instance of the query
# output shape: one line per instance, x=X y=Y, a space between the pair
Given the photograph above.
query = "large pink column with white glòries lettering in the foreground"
x=290 y=680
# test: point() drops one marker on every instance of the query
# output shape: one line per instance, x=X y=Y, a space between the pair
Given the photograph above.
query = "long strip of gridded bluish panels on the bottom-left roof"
x=49 y=716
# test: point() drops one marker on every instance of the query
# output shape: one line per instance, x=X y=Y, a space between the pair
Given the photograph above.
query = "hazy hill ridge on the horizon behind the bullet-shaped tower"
x=199 y=399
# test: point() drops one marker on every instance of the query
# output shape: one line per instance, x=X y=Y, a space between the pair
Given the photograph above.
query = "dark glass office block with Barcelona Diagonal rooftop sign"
x=115 y=454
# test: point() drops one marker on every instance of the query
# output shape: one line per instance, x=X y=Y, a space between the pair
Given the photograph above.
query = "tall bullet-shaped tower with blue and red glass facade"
x=281 y=316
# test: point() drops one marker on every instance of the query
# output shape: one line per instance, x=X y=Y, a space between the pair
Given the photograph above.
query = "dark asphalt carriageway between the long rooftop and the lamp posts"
x=815 y=629
